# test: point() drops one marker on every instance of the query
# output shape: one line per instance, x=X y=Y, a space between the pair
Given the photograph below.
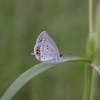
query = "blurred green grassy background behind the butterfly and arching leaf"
x=66 y=21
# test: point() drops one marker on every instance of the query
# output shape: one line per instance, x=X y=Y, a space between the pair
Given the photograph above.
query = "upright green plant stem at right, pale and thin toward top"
x=88 y=93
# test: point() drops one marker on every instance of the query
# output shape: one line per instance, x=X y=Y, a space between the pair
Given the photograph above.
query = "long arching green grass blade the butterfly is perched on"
x=35 y=70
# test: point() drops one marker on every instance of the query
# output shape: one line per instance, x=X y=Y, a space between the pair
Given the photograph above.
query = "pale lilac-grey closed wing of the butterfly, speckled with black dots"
x=48 y=48
